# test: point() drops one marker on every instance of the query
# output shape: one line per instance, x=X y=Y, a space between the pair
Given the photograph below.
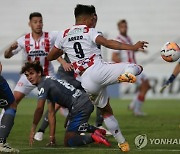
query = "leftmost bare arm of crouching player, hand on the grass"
x=37 y=117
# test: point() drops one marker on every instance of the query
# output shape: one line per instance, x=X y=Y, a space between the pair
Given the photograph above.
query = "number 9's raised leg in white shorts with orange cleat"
x=103 y=74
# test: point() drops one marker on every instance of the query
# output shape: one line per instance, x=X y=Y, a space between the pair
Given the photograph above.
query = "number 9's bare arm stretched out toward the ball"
x=113 y=44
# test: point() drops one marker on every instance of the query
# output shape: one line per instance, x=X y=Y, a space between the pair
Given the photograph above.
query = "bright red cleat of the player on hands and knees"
x=99 y=138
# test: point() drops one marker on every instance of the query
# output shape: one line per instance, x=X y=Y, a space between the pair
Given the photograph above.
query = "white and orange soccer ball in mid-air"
x=170 y=52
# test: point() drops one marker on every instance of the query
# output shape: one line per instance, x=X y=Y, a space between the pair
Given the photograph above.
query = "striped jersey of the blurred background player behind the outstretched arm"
x=126 y=55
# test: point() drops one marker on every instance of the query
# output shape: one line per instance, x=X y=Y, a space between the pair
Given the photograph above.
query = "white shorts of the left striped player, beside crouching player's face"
x=24 y=86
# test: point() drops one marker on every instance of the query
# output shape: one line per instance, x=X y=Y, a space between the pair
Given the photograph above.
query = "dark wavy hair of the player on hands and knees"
x=32 y=65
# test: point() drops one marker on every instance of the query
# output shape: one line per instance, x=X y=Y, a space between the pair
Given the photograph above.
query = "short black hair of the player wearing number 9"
x=84 y=10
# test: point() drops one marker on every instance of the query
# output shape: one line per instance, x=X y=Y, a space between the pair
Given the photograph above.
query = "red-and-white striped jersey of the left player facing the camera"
x=37 y=50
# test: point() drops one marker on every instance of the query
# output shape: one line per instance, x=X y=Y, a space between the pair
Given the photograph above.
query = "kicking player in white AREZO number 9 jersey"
x=79 y=42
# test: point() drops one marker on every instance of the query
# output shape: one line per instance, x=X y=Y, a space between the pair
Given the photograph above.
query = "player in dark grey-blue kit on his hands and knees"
x=64 y=94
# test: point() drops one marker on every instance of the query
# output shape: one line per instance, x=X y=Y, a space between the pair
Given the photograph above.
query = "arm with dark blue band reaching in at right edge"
x=171 y=78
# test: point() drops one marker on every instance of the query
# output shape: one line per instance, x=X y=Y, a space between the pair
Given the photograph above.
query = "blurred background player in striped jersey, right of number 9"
x=129 y=56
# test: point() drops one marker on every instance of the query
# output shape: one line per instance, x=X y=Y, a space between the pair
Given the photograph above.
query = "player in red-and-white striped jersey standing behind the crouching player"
x=34 y=46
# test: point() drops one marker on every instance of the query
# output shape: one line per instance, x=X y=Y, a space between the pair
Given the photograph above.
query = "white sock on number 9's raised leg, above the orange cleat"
x=133 y=69
